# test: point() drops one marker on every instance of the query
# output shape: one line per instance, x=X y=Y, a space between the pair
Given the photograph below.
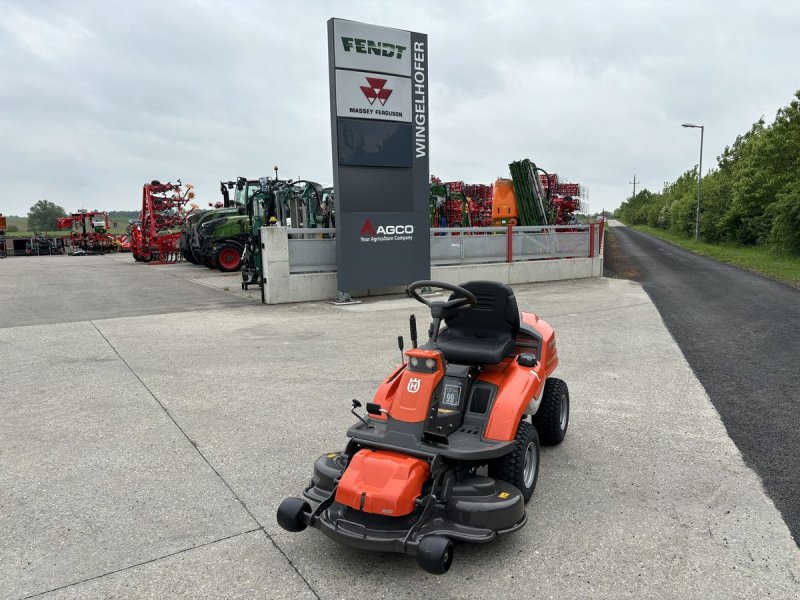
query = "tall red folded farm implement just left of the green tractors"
x=155 y=236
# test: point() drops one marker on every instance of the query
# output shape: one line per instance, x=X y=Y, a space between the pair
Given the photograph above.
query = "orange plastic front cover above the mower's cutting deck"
x=382 y=482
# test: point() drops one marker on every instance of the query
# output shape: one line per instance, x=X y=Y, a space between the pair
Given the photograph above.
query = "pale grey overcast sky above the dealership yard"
x=98 y=97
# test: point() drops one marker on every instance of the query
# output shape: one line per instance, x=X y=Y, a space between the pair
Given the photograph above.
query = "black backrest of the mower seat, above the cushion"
x=496 y=311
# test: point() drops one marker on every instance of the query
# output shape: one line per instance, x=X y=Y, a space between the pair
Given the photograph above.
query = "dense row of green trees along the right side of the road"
x=752 y=197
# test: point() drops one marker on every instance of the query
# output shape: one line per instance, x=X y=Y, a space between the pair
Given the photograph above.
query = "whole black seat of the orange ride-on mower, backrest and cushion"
x=484 y=334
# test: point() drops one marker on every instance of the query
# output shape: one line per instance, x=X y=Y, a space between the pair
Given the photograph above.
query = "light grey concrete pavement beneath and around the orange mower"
x=131 y=468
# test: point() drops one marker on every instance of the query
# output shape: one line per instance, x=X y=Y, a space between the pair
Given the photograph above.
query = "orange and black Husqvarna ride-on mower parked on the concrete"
x=411 y=479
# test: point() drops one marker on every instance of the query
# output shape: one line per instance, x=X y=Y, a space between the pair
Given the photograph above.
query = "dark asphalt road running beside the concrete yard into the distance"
x=740 y=333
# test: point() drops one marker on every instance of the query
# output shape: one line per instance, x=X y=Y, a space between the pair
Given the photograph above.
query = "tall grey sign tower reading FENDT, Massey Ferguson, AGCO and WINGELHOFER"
x=380 y=134
